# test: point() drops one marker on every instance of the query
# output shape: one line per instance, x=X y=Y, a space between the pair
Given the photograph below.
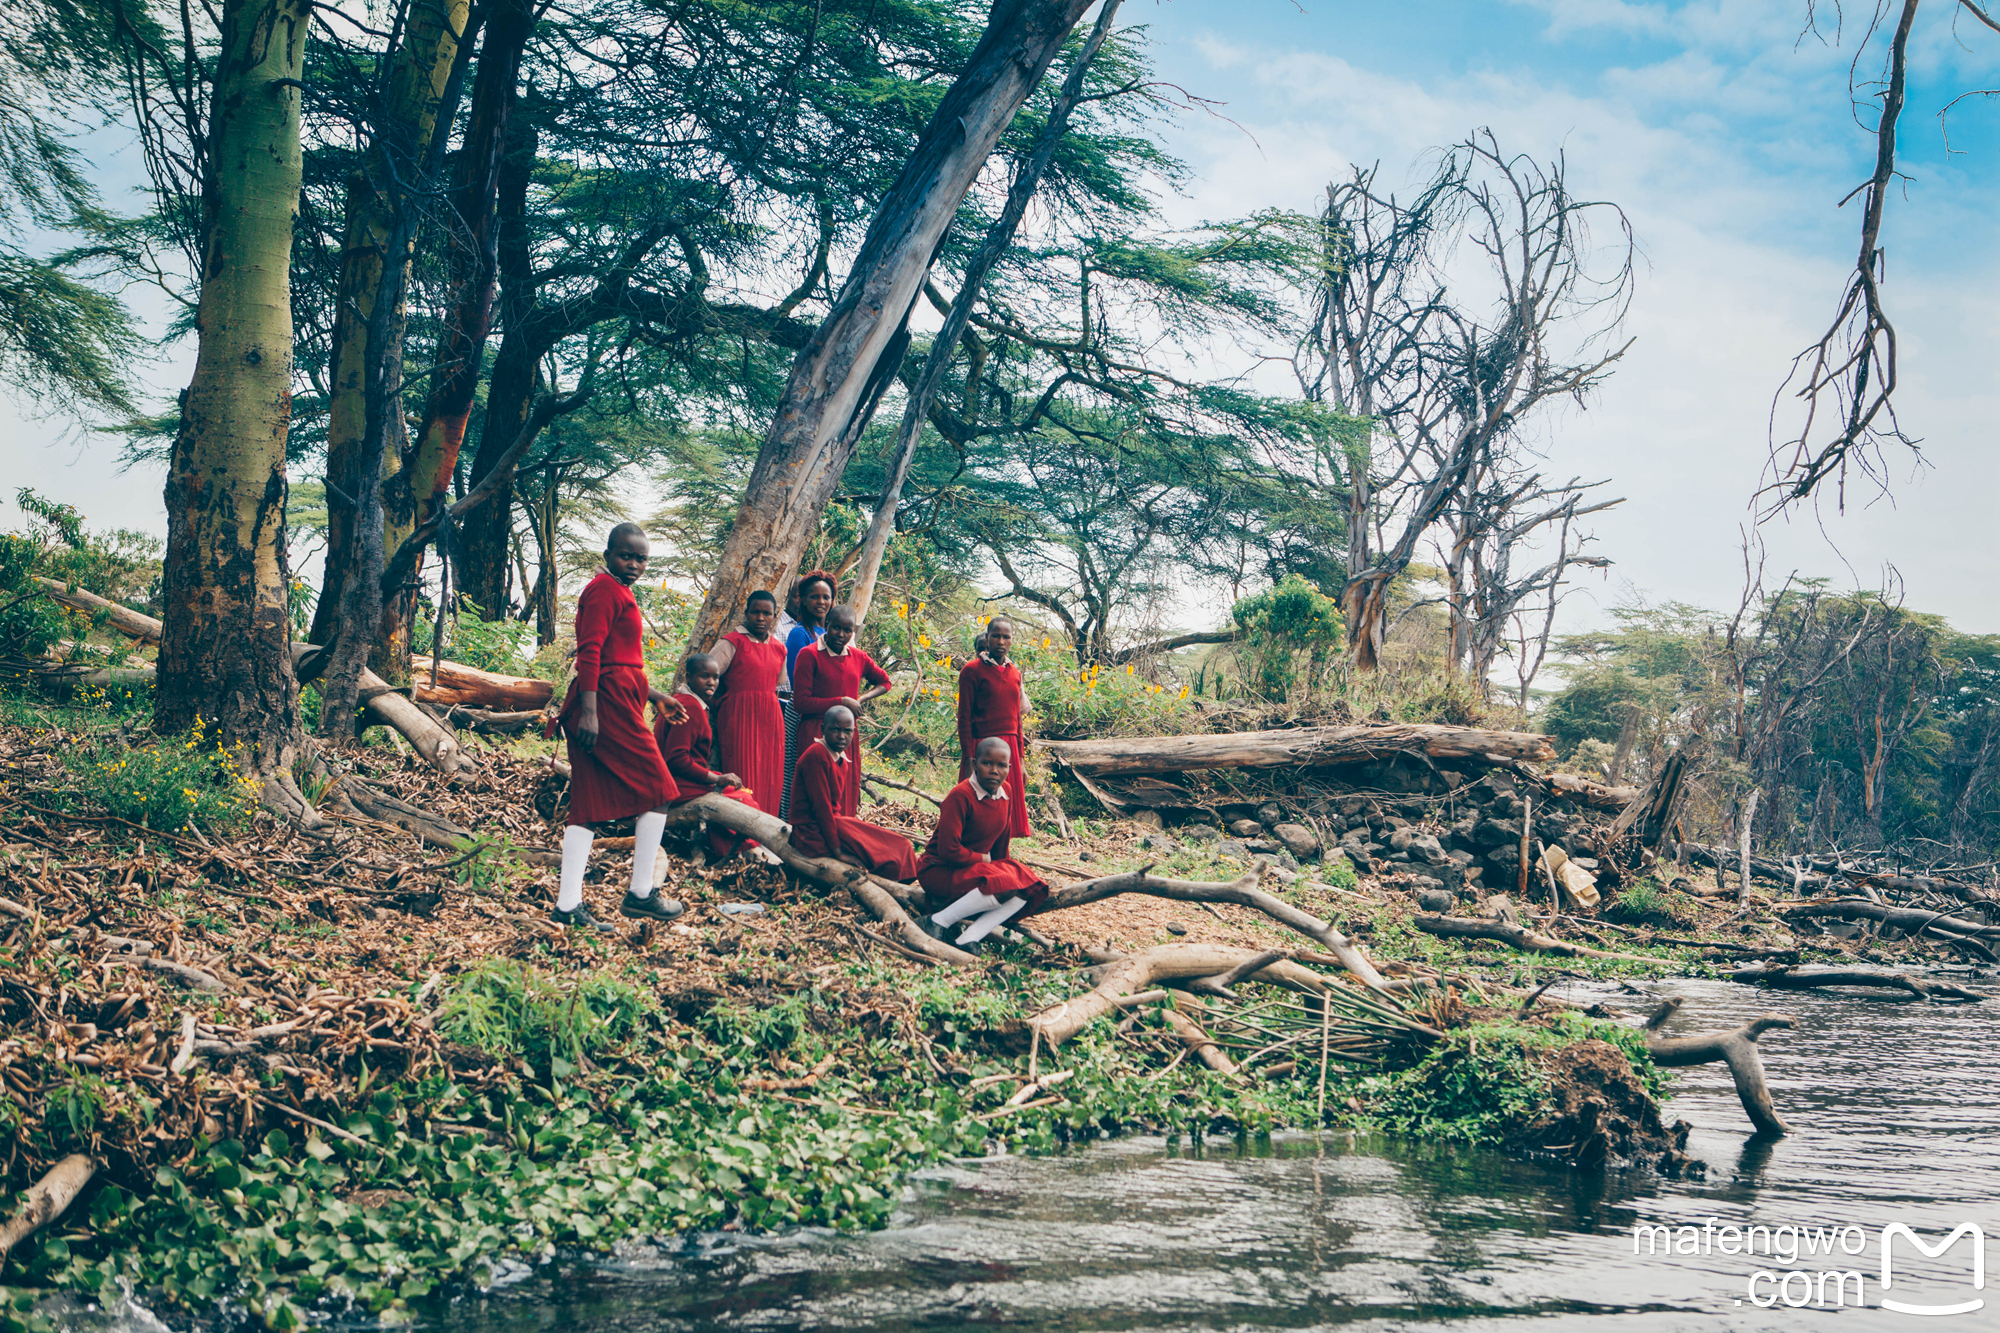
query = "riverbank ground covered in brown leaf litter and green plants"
x=355 y=1070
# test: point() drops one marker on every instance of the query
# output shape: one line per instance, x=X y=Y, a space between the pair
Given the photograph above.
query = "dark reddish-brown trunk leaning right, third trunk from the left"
x=425 y=481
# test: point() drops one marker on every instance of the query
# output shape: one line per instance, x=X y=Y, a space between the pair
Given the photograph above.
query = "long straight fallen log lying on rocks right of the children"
x=1307 y=748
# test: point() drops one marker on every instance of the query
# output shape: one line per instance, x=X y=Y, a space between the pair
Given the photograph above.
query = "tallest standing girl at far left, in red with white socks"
x=615 y=764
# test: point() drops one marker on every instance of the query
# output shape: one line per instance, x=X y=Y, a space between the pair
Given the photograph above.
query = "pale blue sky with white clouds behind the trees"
x=1729 y=139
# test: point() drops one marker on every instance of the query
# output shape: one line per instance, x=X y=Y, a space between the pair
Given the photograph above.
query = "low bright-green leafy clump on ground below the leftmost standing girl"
x=507 y=1008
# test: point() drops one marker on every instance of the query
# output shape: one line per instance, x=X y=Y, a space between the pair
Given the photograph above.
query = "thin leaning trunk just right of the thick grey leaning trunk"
x=999 y=237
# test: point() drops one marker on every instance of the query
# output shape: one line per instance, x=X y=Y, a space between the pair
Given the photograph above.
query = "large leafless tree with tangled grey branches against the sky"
x=1449 y=359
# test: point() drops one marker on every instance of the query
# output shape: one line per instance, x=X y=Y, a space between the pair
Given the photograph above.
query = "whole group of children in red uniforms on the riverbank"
x=771 y=718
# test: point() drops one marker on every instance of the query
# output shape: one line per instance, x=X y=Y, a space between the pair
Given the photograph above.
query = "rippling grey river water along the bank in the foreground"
x=1895 y=1112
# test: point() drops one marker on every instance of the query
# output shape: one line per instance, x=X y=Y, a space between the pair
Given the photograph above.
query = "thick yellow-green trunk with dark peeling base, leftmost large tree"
x=225 y=653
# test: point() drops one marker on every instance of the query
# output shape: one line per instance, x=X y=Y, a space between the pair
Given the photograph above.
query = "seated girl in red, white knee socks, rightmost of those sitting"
x=967 y=872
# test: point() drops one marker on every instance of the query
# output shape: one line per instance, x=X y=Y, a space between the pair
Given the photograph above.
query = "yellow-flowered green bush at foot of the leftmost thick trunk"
x=167 y=786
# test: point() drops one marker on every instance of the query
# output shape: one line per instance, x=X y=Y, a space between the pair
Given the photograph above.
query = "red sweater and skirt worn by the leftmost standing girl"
x=625 y=774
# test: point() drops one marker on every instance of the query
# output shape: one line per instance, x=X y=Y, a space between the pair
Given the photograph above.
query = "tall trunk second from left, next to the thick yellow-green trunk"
x=419 y=87
